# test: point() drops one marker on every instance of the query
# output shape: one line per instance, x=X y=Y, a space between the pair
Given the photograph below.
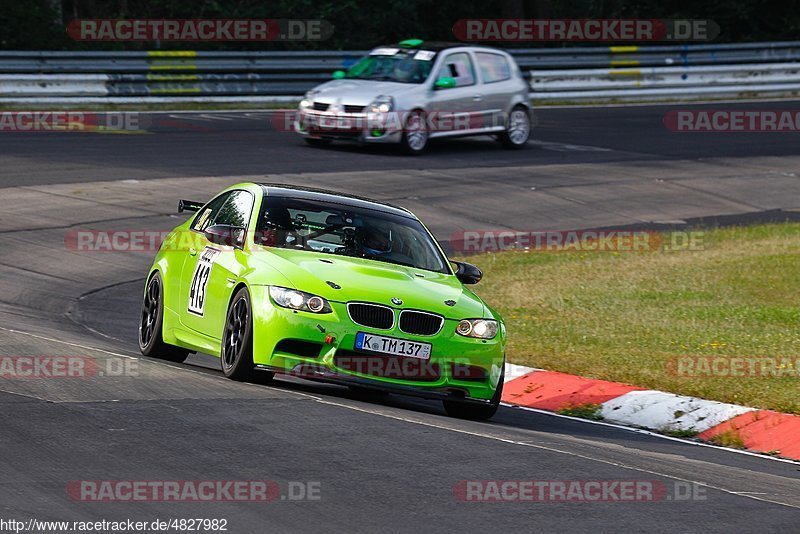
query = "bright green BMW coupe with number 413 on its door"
x=324 y=286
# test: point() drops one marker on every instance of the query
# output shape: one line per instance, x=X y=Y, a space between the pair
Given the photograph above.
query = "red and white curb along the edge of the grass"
x=757 y=430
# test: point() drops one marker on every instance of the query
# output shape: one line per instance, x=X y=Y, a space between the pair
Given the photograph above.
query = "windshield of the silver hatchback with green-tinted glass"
x=394 y=65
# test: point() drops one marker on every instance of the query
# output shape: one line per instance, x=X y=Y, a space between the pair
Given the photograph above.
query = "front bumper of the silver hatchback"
x=358 y=127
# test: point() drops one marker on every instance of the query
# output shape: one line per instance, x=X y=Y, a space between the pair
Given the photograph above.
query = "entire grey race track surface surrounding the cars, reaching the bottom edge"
x=386 y=463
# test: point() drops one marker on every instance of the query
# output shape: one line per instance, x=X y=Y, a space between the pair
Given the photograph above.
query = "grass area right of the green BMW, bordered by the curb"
x=628 y=316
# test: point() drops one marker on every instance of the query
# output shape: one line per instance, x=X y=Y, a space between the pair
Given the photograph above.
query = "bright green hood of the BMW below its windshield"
x=371 y=281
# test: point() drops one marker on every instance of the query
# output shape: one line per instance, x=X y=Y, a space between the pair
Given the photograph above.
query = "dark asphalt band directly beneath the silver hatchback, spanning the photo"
x=242 y=143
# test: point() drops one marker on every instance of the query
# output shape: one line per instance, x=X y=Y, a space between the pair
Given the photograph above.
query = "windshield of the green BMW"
x=337 y=229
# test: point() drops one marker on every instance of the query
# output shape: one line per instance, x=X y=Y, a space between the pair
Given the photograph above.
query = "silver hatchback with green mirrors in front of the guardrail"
x=415 y=91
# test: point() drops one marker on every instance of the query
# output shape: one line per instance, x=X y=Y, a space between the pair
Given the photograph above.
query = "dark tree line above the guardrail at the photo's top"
x=359 y=24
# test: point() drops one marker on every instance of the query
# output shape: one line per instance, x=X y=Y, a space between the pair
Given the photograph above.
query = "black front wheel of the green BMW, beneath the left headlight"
x=236 y=355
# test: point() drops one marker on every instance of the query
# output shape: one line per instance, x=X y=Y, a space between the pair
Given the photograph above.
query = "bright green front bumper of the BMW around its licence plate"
x=321 y=347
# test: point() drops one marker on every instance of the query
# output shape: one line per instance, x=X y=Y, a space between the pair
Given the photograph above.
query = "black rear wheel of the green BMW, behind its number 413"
x=151 y=324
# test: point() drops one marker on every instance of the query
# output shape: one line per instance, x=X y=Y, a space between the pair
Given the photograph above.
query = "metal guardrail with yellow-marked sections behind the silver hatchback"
x=556 y=74
